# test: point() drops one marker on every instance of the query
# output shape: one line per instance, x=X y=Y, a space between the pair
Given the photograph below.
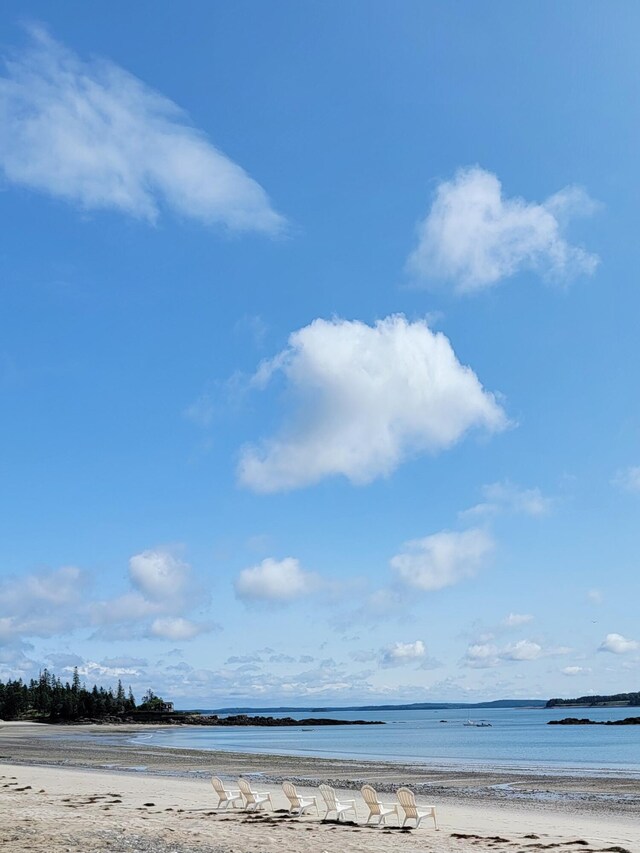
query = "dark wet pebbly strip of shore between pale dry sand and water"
x=107 y=749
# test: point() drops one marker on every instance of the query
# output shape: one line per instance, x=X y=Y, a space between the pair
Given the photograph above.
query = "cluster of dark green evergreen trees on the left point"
x=47 y=698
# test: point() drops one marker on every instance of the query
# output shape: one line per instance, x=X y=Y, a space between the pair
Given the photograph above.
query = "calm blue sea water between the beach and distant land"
x=517 y=739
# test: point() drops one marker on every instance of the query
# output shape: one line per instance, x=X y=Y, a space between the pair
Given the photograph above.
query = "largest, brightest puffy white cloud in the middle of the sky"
x=367 y=398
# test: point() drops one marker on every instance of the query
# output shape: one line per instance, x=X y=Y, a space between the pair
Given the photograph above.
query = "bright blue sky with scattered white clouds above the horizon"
x=318 y=337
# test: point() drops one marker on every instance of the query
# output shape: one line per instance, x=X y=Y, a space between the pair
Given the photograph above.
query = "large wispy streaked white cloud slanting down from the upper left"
x=93 y=134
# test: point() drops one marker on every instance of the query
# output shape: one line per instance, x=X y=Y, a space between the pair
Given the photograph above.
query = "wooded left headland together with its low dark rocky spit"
x=48 y=700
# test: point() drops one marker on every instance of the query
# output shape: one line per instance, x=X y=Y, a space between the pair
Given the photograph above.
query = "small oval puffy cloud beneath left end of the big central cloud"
x=275 y=580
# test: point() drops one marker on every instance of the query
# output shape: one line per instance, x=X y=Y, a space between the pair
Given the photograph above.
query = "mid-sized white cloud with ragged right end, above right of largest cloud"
x=474 y=237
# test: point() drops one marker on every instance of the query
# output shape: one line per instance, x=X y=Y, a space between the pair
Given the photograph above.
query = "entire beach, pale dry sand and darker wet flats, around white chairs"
x=78 y=788
